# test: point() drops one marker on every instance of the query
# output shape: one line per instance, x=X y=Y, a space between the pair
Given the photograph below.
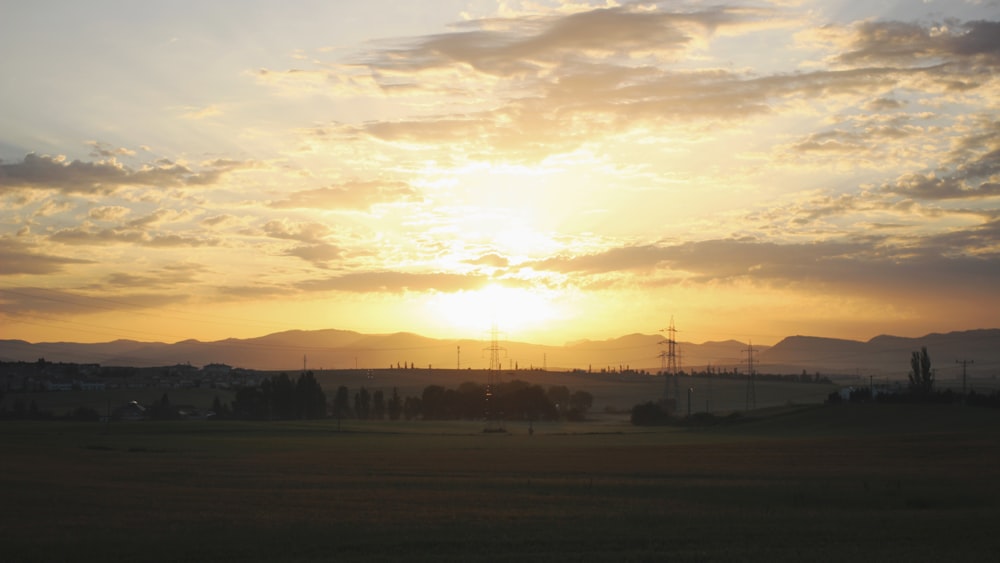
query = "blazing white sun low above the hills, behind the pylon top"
x=512 y=310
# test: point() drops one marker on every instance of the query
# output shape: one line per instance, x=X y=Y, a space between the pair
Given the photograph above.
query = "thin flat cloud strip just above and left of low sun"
x=394 y=282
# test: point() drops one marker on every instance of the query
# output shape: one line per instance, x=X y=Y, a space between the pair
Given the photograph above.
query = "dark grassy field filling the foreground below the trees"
x=887 y=483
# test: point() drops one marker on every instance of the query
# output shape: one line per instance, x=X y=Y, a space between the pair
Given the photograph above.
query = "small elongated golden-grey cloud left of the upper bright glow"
x=354 y=195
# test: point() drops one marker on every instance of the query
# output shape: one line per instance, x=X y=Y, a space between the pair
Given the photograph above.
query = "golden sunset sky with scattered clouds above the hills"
x=561 y=170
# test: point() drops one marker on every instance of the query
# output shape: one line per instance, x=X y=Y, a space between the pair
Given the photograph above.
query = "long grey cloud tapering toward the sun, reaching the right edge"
x=958 y=261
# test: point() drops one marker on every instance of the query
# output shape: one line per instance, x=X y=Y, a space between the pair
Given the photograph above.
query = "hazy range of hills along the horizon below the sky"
x=340 y=349
